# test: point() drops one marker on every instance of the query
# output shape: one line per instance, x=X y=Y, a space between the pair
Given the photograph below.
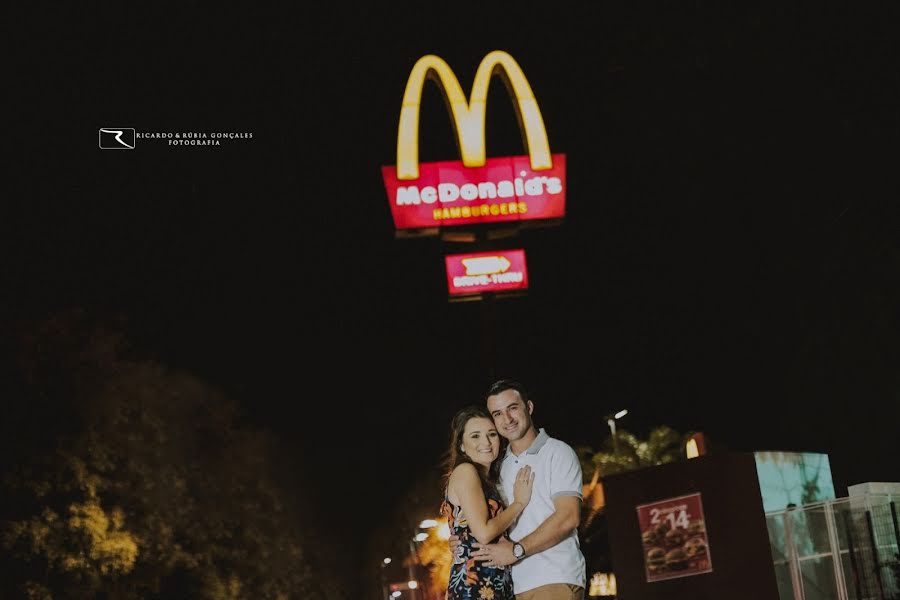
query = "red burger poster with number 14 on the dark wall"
x=673 y=533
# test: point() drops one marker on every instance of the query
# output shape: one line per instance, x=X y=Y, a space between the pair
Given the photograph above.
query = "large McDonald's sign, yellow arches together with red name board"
x=475 y=189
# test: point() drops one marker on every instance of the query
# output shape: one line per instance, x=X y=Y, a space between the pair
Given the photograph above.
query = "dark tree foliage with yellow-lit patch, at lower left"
x=138 y=481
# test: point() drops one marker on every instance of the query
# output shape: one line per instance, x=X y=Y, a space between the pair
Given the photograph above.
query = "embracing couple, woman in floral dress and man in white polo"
x=513 y=516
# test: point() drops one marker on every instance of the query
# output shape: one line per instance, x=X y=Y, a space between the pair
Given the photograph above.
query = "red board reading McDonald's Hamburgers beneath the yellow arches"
x=504 y=189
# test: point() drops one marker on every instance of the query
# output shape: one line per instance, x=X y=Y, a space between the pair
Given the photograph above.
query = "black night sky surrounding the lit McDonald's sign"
x=729 y=262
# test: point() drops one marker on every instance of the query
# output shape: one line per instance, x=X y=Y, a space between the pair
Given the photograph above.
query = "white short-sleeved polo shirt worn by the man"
x=557 y=472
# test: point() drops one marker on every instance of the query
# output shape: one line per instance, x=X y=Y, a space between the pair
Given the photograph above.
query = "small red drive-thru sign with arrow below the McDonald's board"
x=498 y=271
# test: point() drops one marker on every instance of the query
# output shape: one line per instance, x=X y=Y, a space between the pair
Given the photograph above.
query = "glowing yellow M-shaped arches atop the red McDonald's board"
x=468 y=116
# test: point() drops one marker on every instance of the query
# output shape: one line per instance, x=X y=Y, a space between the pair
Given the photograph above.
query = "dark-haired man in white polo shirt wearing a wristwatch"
x=542 y=548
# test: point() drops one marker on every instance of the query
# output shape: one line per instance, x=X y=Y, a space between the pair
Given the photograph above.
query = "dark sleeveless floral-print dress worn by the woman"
x=471 y=580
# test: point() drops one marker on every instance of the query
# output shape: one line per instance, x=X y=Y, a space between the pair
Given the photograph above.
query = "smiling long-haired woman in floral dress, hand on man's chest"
x=473 y=506
